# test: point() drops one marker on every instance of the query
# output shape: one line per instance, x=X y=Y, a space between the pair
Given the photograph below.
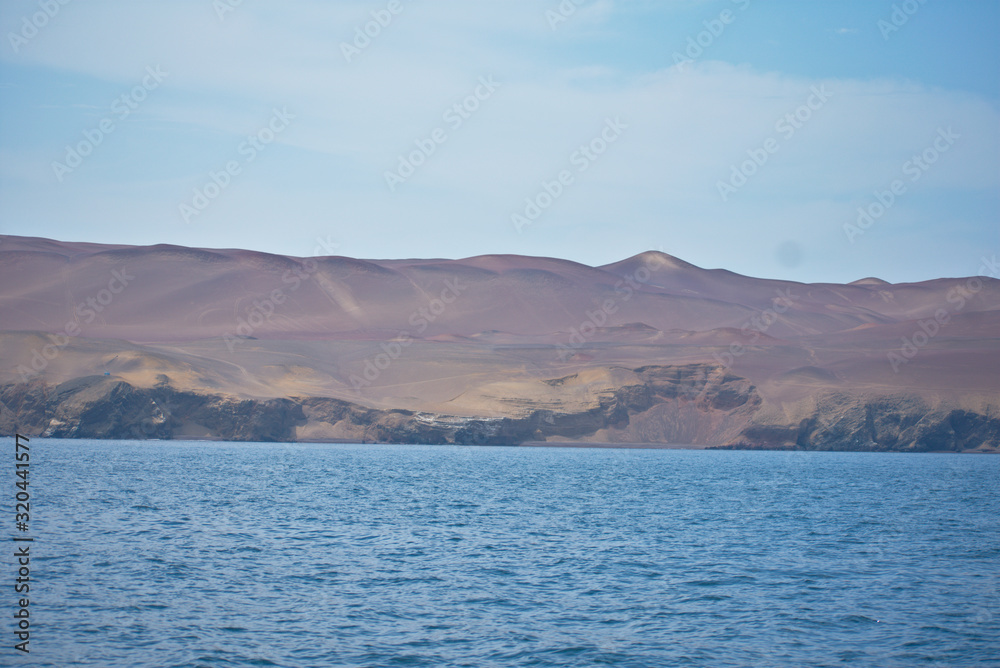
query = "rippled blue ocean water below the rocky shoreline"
x=207 y=554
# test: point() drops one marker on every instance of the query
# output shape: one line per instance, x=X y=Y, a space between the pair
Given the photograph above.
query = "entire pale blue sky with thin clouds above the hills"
x=796 y=139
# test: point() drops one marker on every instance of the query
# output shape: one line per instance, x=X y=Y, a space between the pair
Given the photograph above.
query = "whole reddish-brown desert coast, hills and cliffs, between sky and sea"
x=518 y=347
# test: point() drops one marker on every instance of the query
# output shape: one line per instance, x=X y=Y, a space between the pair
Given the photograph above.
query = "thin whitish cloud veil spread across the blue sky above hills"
x=353 y=120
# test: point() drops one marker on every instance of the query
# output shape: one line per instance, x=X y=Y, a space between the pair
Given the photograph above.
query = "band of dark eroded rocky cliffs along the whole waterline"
x=695 y=404
